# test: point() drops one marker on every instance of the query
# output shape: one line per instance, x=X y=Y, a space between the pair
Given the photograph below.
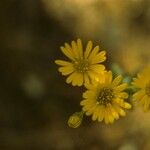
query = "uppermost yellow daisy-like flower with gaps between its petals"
x=82 y=65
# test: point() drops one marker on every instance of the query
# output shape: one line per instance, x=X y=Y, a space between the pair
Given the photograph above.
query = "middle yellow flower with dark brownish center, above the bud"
x=104 y=99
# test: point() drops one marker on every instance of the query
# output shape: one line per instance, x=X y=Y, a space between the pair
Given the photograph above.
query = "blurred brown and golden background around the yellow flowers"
x=35 y=101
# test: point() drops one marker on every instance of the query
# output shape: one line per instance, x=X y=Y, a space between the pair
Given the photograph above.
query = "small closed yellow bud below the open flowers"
x=75 y=120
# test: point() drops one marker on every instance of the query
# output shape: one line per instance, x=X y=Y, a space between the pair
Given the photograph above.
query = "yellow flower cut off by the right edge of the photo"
x=142 y=82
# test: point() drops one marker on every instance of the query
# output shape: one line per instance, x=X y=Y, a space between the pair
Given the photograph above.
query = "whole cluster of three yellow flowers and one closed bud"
x=105 y=96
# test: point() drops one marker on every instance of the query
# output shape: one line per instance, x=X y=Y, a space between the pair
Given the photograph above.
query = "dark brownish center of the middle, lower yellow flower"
x=105 y=96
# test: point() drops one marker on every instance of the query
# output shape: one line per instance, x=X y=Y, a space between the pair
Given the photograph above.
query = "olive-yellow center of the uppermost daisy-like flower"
x=81 y=65
